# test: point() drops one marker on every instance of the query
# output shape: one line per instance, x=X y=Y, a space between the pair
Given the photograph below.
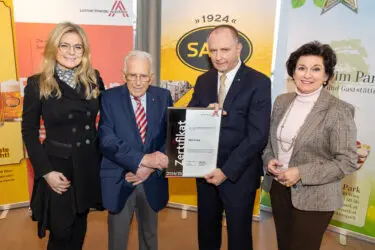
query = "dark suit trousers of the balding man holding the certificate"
x=212 y=201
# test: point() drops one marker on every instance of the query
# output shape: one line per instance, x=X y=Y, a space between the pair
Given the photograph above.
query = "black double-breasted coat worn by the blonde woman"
x=70 y=147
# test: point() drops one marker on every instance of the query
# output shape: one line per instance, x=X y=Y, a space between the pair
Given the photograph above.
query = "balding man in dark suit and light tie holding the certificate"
x=244 y=94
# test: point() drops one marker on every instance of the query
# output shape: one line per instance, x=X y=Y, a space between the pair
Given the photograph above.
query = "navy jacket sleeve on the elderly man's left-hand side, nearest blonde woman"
x=112 y=147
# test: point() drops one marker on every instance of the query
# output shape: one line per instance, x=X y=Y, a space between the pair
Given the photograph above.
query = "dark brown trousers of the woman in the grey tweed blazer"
x=296 y=229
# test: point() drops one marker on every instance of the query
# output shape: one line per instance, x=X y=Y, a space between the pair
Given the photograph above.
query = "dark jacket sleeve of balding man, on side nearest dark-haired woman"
x=258 y=121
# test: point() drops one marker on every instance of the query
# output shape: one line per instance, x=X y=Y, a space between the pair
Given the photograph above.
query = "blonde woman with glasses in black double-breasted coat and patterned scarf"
x=66 y=96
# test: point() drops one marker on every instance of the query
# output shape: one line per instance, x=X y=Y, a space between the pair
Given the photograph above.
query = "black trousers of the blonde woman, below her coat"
x=67 y=228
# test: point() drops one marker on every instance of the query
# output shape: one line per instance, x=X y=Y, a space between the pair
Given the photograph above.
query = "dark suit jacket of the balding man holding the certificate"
x=244 y=130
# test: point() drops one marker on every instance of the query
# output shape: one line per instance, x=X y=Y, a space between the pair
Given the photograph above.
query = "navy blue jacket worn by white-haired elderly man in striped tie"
x=122 y=147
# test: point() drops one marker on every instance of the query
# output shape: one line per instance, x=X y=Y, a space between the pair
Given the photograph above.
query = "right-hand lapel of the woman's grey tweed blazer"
x=313 y=119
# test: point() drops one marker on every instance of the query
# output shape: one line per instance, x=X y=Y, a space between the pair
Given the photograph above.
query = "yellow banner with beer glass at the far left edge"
x=13 y=168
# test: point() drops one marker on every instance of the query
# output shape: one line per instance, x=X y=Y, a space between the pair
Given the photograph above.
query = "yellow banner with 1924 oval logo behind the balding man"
x=184 y=54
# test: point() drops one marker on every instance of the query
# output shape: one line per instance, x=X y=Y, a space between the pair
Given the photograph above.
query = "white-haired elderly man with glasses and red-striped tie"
x=132 y=134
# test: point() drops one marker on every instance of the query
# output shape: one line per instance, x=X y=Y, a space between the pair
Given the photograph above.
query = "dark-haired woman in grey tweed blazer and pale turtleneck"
x=311 y=147
